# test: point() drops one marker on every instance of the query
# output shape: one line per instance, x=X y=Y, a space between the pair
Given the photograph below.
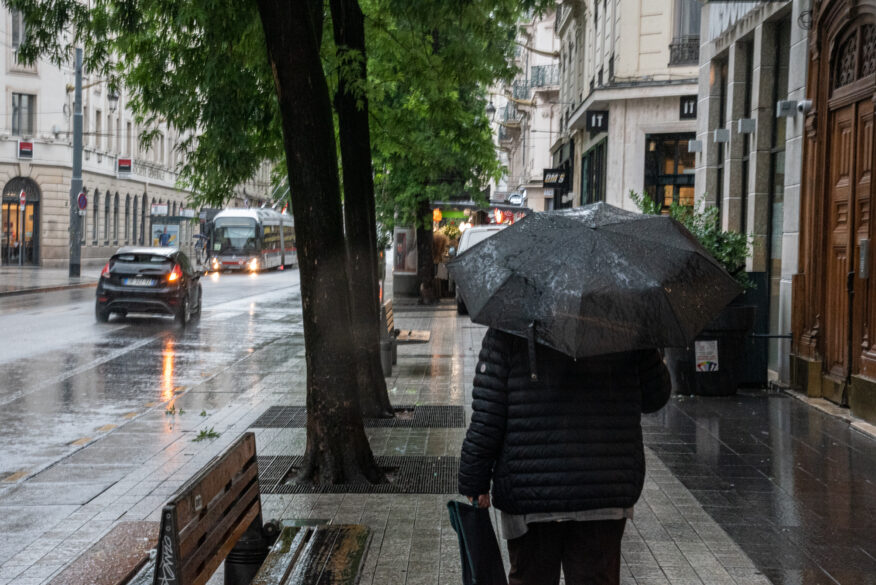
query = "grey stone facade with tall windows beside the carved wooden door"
x=752 y=73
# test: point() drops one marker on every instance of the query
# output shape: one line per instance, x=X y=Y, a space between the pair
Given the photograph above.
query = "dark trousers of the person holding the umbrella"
x=588 y=552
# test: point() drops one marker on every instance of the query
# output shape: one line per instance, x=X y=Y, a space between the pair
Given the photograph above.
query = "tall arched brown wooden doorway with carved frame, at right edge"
x=835 y=292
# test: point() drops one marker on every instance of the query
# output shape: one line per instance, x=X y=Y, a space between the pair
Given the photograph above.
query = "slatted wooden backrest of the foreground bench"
x=206 y=517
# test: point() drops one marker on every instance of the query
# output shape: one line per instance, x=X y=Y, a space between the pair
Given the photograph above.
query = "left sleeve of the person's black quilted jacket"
x=485 y=435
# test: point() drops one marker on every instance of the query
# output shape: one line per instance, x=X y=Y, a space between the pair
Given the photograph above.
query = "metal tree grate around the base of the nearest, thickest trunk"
x=407 y=475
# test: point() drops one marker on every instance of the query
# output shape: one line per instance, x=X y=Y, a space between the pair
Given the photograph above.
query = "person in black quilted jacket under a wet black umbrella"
x=577 y=306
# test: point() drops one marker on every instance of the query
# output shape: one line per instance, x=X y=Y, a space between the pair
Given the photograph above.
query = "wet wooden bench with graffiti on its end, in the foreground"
x=203 y=521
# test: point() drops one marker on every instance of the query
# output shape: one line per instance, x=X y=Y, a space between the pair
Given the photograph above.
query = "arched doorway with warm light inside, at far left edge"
x=20 y=240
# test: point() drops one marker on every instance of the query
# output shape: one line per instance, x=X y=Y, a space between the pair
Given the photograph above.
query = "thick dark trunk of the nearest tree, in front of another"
x=337 y=449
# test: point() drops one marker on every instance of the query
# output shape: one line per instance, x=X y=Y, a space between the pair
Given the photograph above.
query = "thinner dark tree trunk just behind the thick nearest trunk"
x=351 y=104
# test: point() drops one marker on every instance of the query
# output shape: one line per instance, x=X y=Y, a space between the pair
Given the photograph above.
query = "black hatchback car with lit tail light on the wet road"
x=149 y=280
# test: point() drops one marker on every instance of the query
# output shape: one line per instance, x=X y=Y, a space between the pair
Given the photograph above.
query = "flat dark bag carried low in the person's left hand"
x=481 y=558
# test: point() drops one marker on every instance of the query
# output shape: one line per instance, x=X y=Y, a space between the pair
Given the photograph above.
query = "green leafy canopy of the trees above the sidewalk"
x=200 y=65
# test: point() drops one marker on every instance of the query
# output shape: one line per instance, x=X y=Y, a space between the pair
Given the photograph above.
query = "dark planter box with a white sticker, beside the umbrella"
x=712 y=366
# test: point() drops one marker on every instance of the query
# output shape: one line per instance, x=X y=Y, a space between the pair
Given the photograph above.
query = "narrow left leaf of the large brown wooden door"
x=839 y=229
